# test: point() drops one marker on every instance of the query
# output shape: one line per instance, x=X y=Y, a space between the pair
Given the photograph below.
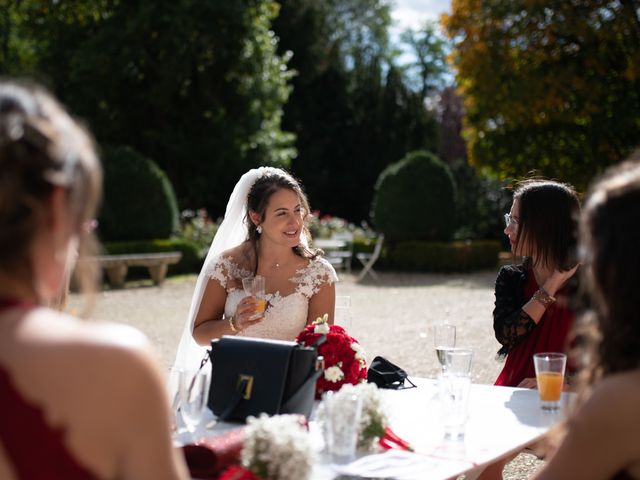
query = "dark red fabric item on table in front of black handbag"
x=209 y=456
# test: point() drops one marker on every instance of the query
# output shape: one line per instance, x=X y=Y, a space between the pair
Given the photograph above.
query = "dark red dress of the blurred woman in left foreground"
x=35 y=449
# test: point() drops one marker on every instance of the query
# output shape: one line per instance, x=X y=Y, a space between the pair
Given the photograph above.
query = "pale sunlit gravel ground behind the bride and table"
x=391 y=317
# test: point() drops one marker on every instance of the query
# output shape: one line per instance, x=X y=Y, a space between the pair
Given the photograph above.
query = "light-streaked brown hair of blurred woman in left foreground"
x=41 y=148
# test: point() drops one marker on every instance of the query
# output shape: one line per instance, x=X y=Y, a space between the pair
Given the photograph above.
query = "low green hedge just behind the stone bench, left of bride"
x=191 y=262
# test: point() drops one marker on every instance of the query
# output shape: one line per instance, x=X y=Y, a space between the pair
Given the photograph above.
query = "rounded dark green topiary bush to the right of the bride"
x=415 y=199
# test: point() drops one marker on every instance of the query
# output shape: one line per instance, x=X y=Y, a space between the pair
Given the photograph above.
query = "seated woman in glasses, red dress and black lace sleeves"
x=532 y=310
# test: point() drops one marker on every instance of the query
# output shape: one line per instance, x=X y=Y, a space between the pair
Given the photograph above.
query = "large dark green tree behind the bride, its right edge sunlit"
x=197 y=86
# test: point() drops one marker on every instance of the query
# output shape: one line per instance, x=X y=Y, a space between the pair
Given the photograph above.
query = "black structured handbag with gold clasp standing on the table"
x=252 y=376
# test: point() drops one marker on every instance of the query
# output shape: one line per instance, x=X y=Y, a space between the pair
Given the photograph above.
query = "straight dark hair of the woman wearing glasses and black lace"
x=548 y=223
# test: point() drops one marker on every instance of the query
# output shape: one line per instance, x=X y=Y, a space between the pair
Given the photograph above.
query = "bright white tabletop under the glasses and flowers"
x=502 y=420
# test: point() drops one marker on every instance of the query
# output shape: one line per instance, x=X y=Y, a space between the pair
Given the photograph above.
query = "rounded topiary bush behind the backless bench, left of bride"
x=139 y=201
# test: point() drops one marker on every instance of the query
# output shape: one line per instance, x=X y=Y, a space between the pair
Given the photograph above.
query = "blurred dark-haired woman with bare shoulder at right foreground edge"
x=601 y=440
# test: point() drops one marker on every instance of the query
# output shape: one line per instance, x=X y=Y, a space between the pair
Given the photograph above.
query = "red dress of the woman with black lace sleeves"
x=550 y=335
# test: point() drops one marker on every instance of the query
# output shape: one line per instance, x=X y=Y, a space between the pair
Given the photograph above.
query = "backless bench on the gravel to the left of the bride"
x=118 y=265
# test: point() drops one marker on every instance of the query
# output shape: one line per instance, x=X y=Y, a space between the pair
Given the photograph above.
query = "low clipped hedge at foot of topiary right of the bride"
x=459 y=256
